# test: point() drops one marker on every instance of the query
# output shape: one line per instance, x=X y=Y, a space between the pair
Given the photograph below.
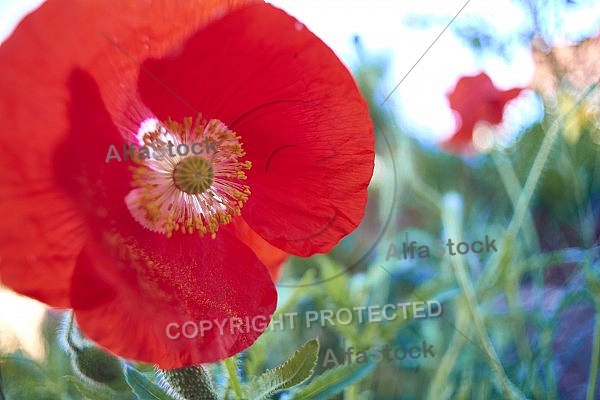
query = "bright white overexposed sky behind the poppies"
x=419 y=104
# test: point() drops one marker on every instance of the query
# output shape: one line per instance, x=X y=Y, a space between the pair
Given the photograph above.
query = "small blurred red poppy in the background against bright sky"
x=475 y=98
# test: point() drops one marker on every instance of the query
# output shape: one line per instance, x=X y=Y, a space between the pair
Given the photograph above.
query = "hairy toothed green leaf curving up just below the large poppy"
x=293 y=372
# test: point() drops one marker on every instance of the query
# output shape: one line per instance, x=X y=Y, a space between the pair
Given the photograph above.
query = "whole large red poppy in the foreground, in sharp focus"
x=136 y=245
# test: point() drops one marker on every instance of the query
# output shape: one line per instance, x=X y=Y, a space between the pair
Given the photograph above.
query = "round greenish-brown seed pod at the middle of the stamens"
x=193 y=175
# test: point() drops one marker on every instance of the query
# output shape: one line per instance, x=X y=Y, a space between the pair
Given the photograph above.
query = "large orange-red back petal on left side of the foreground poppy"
x=41 y=231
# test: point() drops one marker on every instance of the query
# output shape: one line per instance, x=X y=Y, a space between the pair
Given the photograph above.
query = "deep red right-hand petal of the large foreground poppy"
x=304 y=125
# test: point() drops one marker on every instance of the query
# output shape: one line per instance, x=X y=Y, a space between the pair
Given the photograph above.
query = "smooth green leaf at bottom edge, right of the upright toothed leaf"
x=333 y=381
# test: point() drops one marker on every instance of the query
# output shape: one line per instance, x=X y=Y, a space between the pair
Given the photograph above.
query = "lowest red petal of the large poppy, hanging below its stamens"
x=126 y=292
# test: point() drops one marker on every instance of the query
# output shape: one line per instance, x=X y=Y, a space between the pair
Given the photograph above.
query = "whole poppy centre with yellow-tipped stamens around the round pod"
x=187 y=177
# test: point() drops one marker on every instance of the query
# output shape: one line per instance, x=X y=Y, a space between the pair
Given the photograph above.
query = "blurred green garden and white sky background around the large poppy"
x=523 y=322
